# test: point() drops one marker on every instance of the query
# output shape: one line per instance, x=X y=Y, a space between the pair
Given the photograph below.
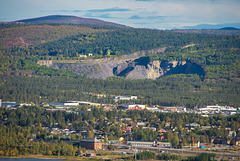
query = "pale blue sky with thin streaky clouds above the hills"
x=156 y=14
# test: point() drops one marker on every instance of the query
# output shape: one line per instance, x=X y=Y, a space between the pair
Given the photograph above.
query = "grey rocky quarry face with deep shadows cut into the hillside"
x=138 y=68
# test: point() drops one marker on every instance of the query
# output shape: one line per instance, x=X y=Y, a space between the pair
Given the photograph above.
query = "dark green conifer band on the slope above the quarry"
x=126 y=41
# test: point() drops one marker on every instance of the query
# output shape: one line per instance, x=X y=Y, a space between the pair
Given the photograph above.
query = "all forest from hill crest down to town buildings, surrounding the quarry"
x=23 y=45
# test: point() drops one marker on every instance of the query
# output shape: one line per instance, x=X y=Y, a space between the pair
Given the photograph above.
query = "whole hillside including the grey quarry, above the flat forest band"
x=23 y=45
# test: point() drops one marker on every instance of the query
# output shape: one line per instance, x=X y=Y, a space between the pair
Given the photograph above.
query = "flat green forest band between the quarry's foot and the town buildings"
x=175 y=90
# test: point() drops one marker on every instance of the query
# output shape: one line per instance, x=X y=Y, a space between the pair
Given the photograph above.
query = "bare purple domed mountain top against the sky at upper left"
x=64 y=19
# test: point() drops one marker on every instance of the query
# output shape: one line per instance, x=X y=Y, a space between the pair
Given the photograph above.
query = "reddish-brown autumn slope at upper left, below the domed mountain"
x=23 y=36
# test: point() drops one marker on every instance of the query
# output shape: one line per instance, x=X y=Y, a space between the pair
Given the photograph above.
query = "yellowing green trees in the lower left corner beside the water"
x=25 y=123
